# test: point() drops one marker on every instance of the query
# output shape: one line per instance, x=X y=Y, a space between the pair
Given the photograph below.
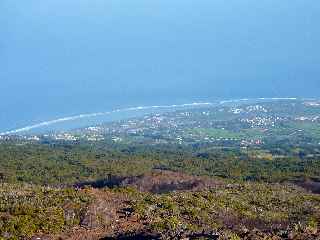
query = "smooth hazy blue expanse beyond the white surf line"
x=63 y=58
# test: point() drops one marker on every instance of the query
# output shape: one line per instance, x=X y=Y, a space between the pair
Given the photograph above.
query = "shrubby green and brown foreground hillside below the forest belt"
x=207 y=211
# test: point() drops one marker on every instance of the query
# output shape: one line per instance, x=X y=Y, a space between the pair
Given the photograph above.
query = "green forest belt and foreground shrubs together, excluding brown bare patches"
x=26 y=210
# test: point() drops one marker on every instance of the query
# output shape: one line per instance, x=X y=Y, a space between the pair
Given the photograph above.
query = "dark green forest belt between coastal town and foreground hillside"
x=68 y=164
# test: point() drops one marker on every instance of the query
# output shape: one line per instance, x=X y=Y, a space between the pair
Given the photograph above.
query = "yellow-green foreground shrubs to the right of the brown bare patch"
x=233 y=210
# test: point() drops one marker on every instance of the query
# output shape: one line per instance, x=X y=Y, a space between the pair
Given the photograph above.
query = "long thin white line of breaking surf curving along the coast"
x=92 y=115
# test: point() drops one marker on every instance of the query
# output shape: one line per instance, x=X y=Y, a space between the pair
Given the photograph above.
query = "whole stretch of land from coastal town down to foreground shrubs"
x=243 y=173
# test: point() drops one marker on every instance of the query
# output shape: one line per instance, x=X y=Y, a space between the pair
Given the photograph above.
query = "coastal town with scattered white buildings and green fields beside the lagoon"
x=241 y=125
